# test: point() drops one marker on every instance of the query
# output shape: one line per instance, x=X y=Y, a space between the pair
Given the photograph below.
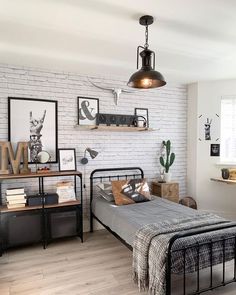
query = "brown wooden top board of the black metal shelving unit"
x=41 y=174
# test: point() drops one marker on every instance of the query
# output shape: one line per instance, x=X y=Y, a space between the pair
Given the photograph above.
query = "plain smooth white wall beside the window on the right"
x=204 y=98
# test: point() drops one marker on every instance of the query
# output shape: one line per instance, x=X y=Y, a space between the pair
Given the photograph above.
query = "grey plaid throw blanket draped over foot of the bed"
x=151 y=246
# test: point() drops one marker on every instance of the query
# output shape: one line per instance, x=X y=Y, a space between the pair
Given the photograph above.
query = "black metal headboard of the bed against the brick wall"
x=110 y=174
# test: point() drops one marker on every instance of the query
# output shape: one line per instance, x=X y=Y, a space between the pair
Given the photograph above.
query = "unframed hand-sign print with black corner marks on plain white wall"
x=209 y=126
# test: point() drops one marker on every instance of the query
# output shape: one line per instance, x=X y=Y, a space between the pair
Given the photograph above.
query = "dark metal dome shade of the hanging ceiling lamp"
x=146 y=78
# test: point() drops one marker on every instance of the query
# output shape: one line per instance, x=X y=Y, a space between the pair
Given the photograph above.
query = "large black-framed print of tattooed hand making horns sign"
x=35 y=121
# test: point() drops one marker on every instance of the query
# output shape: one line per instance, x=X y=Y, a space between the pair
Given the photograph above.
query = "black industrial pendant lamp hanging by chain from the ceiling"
x=146 y=77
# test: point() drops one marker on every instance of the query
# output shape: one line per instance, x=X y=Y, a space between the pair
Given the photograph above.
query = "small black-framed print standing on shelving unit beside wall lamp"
x=67 y=159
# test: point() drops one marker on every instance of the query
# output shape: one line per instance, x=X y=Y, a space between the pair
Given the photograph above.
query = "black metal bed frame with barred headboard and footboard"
x=176 y=237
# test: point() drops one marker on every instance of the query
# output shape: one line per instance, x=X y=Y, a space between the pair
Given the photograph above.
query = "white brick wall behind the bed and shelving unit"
x=167 y=113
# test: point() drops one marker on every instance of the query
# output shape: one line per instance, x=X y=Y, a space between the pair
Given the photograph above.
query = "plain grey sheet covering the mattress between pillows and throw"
x=126 y=220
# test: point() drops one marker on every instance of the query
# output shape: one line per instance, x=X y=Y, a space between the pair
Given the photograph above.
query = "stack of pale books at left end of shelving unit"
x=15 y=197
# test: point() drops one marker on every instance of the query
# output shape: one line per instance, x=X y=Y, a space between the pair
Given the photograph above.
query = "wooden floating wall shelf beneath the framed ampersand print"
x=112 y=128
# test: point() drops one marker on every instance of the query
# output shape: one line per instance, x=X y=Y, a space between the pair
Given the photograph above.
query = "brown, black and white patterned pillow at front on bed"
x=130 y=191
